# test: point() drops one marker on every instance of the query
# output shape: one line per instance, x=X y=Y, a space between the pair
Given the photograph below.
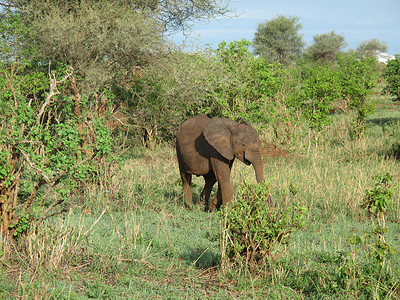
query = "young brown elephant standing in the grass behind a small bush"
x=208 y=147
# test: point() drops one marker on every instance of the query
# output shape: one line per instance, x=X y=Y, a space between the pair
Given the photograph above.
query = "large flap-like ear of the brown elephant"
x=218 y=135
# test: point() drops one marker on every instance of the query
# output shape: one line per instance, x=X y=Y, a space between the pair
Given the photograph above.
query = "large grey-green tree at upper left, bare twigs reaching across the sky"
x=105 y=40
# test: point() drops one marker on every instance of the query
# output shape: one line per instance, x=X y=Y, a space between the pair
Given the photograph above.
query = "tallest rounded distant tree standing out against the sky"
x=279 y=39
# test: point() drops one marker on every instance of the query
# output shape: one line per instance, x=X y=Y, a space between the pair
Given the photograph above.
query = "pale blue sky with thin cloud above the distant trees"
x=356 y=20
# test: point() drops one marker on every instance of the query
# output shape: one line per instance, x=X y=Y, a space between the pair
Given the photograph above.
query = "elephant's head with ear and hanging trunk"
x=232 y=139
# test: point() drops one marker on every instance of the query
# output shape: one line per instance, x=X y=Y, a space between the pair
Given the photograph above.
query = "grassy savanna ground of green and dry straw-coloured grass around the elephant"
x=134 y=239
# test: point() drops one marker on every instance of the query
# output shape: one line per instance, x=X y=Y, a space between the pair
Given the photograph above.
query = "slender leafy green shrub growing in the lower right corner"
x=375 y=278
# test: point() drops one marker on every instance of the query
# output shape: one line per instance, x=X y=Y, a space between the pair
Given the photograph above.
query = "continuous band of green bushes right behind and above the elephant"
x=231 y=82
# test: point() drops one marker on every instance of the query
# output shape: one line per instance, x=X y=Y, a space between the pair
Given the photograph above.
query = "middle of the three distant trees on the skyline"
x=326 y=47
